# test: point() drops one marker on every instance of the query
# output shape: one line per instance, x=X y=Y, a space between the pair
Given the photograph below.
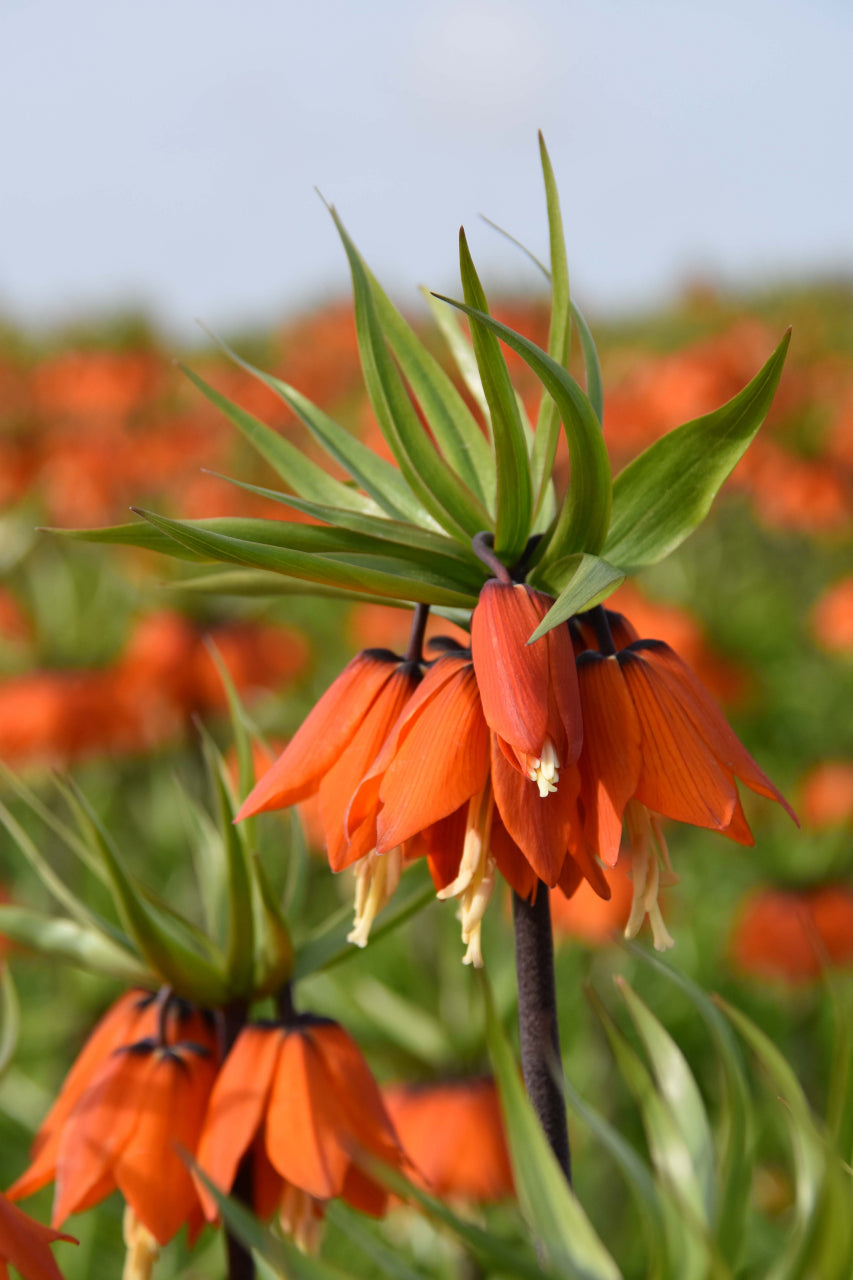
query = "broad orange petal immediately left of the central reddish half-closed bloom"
x=441 y=764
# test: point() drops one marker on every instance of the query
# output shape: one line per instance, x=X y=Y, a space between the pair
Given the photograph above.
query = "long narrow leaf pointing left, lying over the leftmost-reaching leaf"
x=410 y=583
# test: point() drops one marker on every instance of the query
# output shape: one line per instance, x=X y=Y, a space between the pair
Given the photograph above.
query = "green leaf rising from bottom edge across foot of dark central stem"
x=549 y=1204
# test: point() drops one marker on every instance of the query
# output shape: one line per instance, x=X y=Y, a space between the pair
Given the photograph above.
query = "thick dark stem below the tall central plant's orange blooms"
x=541 y=1062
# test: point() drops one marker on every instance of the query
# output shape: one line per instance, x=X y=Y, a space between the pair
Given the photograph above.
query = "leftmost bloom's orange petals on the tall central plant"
x=337 y=743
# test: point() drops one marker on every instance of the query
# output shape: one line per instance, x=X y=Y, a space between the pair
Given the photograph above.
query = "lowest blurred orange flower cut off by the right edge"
x=791 y=935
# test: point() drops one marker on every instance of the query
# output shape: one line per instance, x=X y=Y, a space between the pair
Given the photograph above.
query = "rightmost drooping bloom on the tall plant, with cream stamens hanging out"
x=655 y=744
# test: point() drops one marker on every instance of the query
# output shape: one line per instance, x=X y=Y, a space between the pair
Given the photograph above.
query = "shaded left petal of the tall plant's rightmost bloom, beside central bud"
x=610 y=762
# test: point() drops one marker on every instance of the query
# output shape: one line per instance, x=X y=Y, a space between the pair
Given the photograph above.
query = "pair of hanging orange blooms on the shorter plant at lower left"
x=152 y=1087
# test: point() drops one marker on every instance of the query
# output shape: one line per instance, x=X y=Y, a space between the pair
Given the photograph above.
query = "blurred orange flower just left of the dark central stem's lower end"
x=454 y=1136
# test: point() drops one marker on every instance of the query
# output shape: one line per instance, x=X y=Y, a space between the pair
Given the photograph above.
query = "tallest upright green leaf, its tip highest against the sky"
x=545 y=445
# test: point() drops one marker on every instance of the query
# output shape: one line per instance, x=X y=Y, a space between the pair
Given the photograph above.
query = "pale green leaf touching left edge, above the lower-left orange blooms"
x=66 y=940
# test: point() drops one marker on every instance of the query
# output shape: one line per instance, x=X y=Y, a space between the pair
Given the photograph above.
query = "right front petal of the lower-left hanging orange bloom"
x=149 y=1169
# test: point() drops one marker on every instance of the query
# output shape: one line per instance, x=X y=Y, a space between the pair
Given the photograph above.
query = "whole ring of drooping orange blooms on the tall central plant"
x=527 y=758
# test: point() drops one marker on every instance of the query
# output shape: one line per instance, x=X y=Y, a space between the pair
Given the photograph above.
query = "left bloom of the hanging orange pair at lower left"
x=126 y=1108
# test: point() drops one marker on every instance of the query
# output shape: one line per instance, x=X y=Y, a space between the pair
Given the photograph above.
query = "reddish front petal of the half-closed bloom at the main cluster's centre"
x=513 y=676
